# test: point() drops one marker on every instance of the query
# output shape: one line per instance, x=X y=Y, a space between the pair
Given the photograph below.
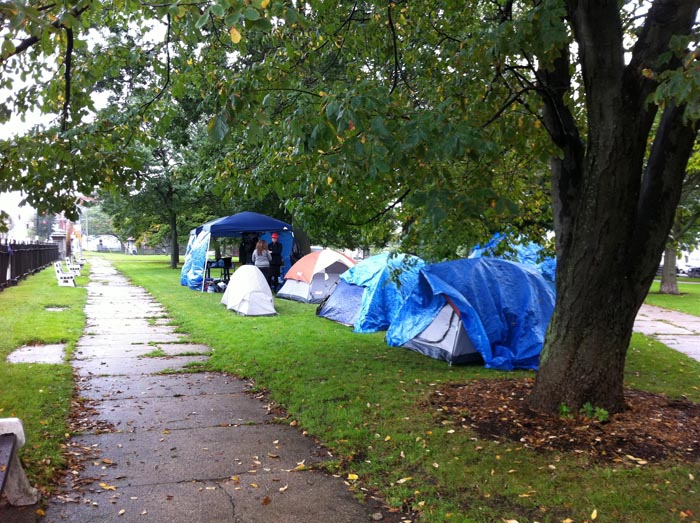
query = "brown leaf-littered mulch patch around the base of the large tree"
x=653 y=428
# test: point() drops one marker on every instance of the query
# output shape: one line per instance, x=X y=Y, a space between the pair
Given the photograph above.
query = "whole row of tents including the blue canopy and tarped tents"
x=472 y=310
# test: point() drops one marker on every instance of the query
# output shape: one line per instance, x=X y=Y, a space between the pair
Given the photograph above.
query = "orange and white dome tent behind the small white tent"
x=312 y=278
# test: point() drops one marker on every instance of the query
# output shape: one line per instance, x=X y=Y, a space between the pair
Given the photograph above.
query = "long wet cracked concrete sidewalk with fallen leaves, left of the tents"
x=181 y=447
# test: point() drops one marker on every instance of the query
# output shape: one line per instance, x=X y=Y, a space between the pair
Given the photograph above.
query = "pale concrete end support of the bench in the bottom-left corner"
x=13 y=481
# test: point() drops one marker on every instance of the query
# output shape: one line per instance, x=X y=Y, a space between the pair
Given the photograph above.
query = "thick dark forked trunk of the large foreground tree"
x=611 y=216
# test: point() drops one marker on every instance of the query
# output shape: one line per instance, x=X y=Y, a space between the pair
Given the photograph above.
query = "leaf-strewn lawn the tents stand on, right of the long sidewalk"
x=367 y=403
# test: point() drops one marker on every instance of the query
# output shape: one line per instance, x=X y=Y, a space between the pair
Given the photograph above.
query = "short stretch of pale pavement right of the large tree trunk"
x=674 y=329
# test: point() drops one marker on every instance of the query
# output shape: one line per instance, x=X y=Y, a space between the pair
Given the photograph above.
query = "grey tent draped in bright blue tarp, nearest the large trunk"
x=504 y=308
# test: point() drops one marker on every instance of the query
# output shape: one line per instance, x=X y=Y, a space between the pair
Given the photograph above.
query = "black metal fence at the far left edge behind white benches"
x=19 y=260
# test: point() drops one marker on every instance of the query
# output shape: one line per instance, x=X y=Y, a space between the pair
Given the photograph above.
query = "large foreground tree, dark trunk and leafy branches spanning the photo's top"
x=421 y=116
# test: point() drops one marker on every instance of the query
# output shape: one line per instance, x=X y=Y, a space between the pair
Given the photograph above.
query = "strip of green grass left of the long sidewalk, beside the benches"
x=40 y=394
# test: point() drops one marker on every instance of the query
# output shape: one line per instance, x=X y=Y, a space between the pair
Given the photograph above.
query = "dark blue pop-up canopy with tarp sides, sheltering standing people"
x=236 y=225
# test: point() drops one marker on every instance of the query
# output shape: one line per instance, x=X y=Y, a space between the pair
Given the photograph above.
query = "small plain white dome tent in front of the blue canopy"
x=248 y=293
